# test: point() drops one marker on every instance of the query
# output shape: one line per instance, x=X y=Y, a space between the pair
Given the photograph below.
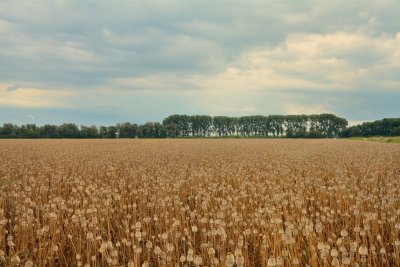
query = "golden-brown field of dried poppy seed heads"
x=236 y=202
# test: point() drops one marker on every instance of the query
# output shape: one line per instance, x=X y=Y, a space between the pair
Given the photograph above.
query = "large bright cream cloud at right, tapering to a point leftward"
x=337 y=61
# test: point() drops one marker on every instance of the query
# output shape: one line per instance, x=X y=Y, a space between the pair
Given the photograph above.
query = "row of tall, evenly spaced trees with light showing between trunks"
x=323 y=125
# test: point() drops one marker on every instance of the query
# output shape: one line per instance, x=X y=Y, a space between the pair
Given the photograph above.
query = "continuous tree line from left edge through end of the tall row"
x=313 y=126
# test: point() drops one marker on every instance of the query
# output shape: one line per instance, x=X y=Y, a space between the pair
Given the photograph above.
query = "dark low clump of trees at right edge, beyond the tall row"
x=385 y=127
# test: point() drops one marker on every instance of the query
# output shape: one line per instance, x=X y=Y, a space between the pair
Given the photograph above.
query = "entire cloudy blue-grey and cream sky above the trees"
x=103 y=62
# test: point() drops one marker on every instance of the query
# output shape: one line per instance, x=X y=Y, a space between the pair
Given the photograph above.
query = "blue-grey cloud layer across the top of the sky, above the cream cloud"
x=150 y=37
